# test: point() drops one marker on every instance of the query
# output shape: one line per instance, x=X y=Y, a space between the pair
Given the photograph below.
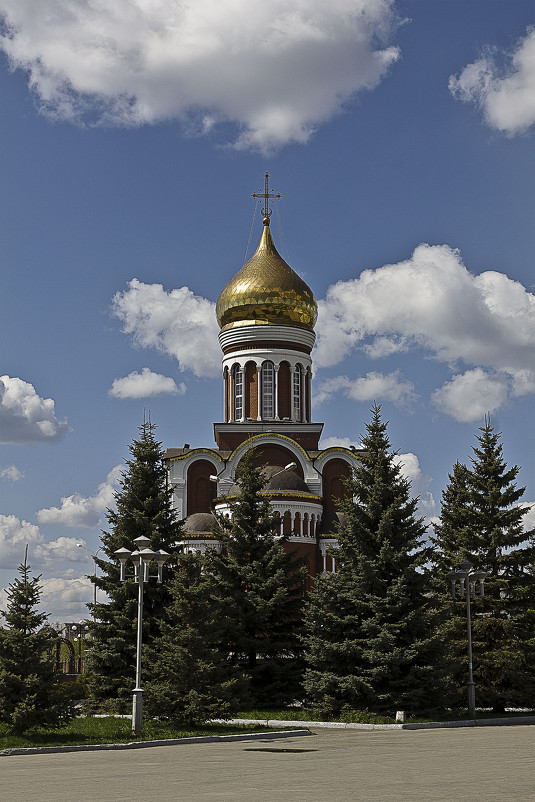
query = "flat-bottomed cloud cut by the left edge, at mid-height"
x=25 y=417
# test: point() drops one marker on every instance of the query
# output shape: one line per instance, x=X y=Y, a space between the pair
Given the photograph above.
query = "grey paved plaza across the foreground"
x=488 y=764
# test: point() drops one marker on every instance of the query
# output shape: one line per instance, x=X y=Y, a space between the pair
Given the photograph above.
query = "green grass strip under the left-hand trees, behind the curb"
x=112 y=730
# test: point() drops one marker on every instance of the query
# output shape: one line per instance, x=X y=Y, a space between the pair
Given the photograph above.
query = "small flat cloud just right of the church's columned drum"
x=374 y=385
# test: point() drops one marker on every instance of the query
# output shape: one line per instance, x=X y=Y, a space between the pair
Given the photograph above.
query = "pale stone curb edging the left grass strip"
x=201 y=739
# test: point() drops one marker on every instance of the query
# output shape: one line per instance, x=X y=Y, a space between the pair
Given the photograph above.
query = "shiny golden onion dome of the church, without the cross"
x=266 y=290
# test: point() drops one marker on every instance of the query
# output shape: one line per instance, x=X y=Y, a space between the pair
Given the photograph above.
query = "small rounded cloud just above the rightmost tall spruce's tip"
x=469 y=396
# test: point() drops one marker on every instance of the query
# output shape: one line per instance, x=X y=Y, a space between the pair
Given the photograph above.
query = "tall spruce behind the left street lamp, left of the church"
x=143 y=508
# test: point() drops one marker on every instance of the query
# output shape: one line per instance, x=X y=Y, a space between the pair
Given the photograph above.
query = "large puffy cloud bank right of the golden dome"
x=432 y=302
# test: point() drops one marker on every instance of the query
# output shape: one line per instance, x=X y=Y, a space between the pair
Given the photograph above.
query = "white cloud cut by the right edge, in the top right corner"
x=506 y=96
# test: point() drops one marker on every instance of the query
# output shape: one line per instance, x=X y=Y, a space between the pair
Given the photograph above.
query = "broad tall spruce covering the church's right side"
x=370 y=641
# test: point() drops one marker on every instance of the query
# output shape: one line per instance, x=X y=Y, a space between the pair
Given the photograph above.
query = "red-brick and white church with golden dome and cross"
x=266 y=314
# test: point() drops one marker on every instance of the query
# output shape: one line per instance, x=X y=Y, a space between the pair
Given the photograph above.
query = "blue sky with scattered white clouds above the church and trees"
x=400 y=135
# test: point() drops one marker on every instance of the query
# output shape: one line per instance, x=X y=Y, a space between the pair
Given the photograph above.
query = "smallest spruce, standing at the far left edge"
x=29 y=692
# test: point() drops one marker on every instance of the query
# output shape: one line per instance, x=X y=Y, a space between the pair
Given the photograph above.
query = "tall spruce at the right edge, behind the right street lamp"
x=482 y=522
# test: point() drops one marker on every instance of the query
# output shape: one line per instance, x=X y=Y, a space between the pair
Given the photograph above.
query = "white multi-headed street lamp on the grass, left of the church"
x=141 y=559
